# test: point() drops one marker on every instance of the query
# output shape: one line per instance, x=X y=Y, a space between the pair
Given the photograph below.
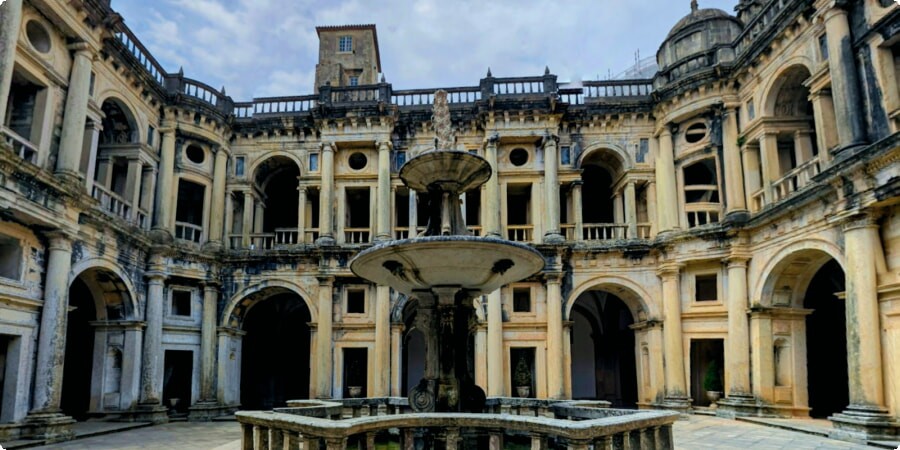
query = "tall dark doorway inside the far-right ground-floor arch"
x=826 y=342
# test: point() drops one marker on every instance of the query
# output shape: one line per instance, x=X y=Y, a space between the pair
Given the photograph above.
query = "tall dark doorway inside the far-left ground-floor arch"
x=79 y=359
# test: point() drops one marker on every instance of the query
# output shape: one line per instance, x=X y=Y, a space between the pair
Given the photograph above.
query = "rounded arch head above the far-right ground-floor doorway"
x=818 y=251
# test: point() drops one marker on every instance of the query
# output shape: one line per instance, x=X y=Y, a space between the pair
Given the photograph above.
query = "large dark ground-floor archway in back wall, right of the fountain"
x=603 y=349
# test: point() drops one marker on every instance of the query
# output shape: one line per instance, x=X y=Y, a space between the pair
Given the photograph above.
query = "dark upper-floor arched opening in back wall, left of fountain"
x=277 y=179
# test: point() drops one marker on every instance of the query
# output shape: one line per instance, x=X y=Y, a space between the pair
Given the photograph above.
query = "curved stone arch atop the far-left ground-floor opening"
x=109 y=280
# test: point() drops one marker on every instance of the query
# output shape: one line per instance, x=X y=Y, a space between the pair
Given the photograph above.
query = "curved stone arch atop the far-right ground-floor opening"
x=811 y=253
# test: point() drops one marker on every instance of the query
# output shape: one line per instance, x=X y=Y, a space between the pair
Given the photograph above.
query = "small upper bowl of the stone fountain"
x=449 y=170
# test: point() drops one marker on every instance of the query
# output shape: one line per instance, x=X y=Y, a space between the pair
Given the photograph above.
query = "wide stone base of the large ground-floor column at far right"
x=864 y=423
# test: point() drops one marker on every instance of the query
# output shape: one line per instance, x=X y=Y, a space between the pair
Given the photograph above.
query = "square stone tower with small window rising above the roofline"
x=348 y=56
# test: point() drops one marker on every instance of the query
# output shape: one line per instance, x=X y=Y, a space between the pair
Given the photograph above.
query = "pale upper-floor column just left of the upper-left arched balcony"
x=71 y=141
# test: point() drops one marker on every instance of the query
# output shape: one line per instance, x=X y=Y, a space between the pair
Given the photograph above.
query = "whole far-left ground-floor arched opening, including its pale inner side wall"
x=99 y=302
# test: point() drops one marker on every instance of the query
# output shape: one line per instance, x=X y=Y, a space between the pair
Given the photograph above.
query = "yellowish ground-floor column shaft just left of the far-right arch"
x=737 y=356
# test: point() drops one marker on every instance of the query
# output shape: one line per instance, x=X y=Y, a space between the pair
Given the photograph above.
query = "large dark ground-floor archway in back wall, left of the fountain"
x=275 y=353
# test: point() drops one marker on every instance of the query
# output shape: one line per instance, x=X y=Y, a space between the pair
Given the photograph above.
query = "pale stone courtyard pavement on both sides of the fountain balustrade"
x=697 y=432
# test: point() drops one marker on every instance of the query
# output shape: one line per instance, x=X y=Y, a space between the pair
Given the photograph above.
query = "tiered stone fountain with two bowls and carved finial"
x=446 y=267
